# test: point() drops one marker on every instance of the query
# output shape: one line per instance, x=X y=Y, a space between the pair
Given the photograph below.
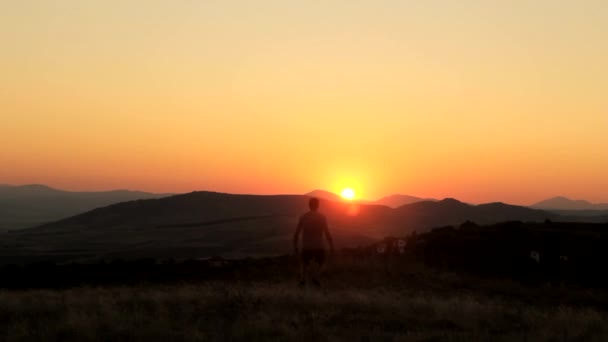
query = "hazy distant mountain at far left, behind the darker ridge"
x=30 y=205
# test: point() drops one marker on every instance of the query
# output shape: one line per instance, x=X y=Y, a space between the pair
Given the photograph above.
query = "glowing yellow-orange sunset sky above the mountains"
x=477 y=100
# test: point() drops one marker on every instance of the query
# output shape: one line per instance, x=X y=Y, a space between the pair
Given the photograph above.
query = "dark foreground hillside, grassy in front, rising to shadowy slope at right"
x=463 y=283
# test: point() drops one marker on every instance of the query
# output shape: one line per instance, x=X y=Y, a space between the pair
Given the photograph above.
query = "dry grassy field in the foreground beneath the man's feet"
x=362 y=301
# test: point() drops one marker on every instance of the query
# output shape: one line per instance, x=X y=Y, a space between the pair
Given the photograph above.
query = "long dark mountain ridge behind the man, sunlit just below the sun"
x=203 y=224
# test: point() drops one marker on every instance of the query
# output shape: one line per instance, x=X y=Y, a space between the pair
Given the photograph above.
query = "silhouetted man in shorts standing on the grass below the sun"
x=312 y=225
